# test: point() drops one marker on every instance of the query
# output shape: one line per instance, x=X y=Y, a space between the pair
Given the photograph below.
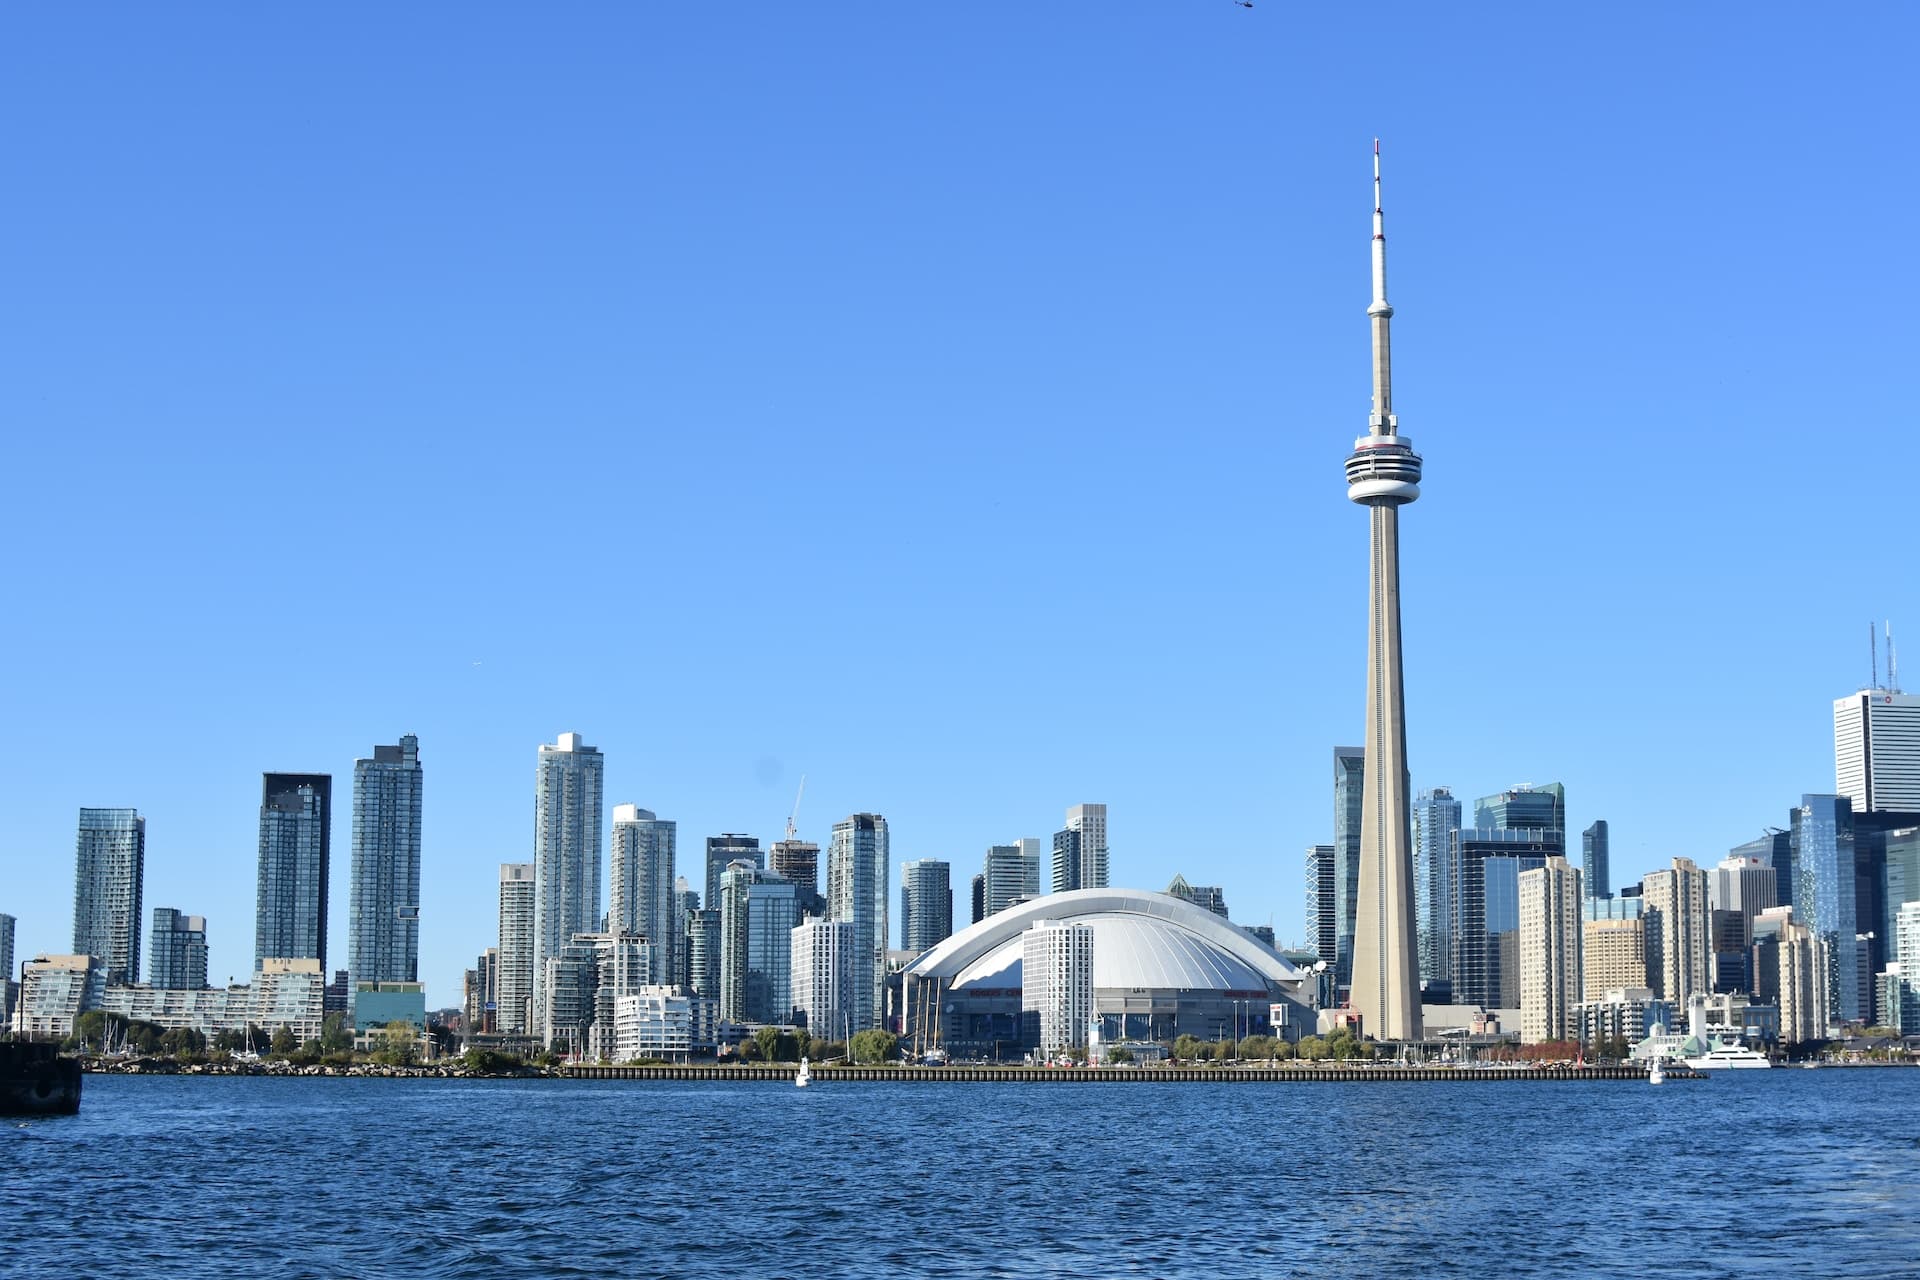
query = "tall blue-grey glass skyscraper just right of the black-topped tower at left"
x=385 y=903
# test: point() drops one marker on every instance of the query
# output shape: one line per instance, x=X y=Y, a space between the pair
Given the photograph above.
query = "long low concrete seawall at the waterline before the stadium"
x=1124 y=1076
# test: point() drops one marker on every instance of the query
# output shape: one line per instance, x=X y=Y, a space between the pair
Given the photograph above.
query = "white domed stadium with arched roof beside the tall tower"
x=1161 y=968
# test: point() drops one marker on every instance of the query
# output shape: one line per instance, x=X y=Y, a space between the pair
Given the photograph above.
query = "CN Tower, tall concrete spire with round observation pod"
x=1383 y=475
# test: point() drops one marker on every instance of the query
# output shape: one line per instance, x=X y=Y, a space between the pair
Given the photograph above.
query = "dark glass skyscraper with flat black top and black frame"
x=297 y=818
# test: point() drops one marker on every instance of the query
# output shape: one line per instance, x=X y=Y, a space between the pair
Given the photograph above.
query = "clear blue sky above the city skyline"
x=944 y=402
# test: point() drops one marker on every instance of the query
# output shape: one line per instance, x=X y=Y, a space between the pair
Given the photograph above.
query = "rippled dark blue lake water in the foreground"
x=1752 y=1173
